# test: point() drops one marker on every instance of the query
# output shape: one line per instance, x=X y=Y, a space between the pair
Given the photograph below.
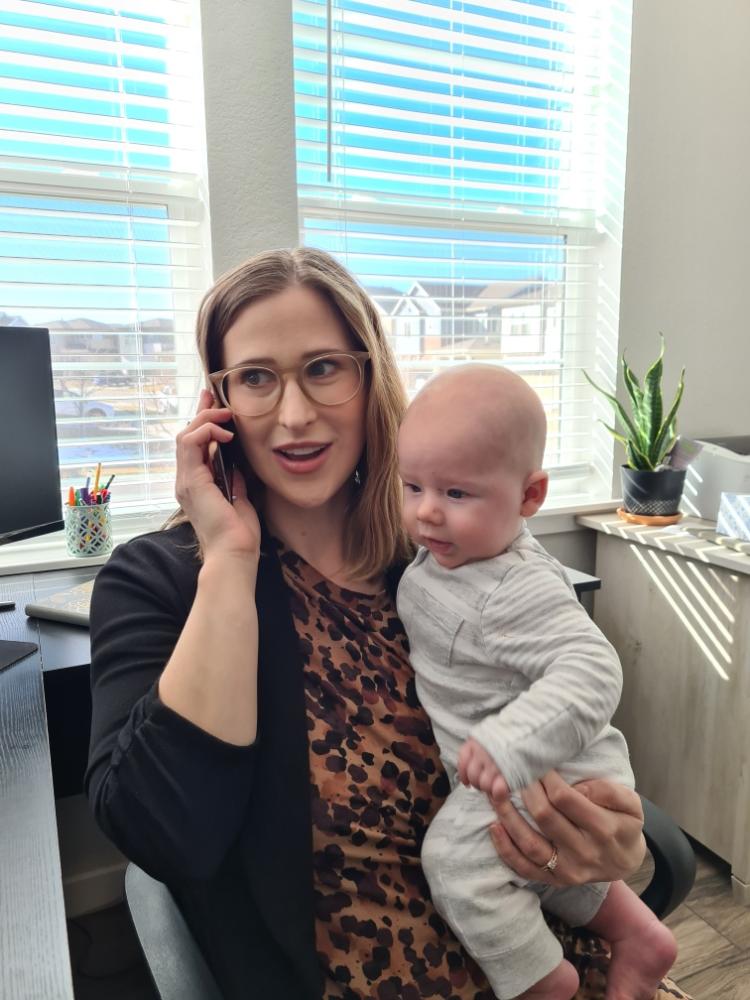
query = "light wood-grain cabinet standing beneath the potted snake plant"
x=676 y=607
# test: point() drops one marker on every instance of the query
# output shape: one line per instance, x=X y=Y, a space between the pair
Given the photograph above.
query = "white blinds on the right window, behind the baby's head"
x=466 y=162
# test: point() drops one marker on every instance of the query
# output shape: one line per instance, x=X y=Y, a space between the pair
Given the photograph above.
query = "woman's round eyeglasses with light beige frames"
x=329 y=379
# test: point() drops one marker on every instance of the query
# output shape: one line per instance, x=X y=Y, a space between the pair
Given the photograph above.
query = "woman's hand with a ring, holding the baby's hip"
x=595 y=826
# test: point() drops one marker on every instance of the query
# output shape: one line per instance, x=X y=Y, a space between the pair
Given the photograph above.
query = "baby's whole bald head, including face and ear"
x=470 y=452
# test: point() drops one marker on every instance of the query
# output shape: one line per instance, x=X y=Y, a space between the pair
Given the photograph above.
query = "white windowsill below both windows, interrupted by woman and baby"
x=48 y=552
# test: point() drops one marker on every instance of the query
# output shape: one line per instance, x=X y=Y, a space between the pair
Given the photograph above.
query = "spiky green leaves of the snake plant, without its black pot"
x=648 y=435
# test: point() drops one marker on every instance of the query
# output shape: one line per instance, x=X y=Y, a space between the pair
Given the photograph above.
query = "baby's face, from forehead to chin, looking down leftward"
x=459 y=502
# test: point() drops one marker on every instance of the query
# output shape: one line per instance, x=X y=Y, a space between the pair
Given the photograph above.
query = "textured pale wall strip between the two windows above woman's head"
x=249 y=99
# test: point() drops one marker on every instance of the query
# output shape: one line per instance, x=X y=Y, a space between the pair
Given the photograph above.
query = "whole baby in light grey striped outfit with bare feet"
x=517 y=680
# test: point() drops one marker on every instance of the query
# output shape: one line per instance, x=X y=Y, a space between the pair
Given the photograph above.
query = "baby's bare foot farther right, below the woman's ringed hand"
x=639 y=961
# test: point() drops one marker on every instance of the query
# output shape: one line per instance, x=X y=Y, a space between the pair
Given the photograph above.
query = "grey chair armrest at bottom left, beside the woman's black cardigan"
x=177 y=967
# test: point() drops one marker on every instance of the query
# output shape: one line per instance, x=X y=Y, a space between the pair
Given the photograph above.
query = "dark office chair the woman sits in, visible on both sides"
x=179 y=970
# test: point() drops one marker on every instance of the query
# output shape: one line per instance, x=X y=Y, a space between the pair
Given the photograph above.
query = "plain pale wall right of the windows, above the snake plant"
x=687 y=206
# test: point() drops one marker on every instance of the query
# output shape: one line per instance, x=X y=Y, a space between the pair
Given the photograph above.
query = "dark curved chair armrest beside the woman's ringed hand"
x=674 y=861
